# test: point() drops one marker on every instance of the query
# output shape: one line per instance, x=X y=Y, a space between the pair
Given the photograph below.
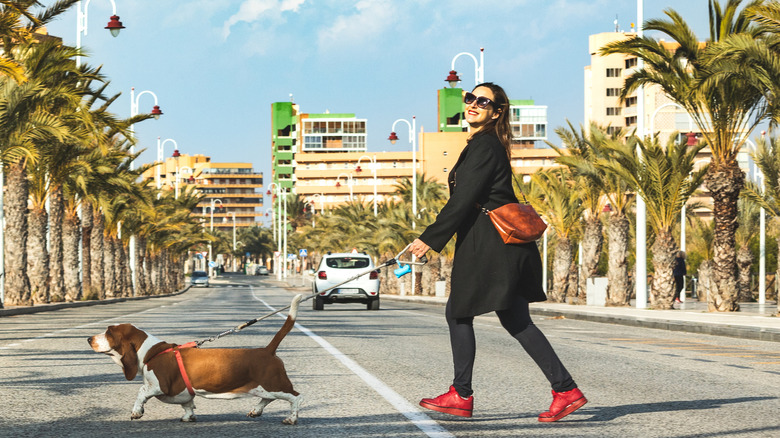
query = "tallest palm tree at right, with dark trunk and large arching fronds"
x=726 y=107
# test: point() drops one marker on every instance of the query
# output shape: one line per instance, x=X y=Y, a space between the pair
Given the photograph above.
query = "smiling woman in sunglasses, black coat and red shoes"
x=487 y=274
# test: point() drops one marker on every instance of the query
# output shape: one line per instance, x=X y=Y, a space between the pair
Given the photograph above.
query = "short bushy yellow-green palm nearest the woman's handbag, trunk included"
x=553 y=195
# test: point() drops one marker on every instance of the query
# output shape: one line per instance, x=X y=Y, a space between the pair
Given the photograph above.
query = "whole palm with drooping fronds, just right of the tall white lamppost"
x=666 y=179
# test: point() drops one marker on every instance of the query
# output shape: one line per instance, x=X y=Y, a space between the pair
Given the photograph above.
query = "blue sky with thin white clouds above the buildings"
x=217 y=65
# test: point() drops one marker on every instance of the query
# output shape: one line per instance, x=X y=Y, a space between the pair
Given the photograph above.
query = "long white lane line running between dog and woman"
x=417 y=417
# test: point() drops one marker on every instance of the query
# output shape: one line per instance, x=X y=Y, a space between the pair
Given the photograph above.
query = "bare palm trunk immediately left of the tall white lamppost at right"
x=618 y=292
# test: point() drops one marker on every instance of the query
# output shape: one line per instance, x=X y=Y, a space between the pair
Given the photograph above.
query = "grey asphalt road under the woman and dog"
x=363 y=372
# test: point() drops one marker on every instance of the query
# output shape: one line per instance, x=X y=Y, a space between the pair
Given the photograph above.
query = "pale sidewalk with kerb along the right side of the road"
x=753 y=321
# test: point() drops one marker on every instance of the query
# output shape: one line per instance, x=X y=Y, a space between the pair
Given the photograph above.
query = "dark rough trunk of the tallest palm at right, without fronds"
x=724 y=182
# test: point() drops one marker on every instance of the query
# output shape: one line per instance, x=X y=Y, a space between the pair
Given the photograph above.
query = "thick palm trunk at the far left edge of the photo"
x=17 y=284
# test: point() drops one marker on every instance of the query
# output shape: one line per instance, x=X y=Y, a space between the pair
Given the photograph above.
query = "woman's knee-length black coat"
x=487 y=273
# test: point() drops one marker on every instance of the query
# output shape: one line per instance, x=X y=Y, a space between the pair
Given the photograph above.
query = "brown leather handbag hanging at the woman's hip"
x=516 y=223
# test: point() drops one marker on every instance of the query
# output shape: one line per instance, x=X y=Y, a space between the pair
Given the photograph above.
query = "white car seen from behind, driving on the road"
x=338 y=268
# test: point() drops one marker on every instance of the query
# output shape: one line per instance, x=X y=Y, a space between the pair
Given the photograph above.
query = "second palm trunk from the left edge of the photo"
x=38 y=256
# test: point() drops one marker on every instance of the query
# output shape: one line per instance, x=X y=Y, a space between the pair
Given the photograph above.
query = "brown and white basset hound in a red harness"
x=212 y=372
